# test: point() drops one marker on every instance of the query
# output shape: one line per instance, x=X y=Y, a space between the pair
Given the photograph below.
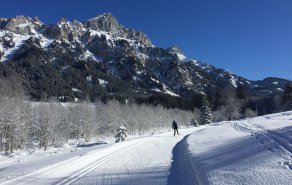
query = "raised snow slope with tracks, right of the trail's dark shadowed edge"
x=251 y=151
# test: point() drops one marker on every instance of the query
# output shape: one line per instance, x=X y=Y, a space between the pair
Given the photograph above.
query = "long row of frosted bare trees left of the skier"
x=25 y=124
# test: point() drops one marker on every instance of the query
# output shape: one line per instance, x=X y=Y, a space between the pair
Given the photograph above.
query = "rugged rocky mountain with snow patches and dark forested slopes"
x=101 y=58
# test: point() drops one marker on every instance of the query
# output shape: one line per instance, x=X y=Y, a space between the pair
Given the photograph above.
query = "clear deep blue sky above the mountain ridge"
x=251 y=38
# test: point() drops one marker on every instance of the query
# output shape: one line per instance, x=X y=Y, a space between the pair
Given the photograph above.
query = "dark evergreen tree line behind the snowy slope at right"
x=234 y=107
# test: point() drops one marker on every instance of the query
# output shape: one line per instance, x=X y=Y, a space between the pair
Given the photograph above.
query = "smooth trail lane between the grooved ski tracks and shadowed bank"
x=149 y=163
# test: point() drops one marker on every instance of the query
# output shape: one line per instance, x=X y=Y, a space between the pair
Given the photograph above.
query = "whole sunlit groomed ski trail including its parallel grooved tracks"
x=140 y=161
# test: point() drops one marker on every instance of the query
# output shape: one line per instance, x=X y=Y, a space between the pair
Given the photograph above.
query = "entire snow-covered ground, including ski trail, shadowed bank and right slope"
x=250 y=151
